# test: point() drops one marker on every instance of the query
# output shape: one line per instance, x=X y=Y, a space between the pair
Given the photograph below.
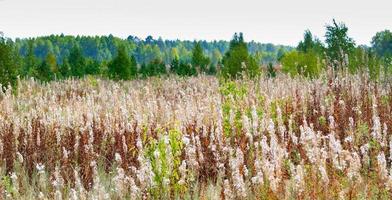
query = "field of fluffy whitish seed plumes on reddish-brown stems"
x=197 y=138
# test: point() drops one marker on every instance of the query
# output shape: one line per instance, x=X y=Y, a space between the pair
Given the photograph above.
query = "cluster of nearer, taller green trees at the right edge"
x=340 y=52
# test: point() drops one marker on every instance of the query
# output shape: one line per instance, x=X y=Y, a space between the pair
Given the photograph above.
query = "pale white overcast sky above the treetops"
x=272 y=21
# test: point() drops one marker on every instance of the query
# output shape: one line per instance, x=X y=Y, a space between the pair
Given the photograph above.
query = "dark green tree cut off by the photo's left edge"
x=9 y=63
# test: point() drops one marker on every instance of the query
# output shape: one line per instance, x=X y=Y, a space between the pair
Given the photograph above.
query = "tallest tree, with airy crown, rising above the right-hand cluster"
x=338 y=42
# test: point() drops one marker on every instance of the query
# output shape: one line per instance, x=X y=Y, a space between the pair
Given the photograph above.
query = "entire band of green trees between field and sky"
x=57 y=57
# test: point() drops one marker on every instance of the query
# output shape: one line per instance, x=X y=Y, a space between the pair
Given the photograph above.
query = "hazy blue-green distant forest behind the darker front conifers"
x=104 y=48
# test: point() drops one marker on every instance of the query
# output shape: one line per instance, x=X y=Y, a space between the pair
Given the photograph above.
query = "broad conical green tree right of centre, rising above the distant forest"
x=237 y=60
